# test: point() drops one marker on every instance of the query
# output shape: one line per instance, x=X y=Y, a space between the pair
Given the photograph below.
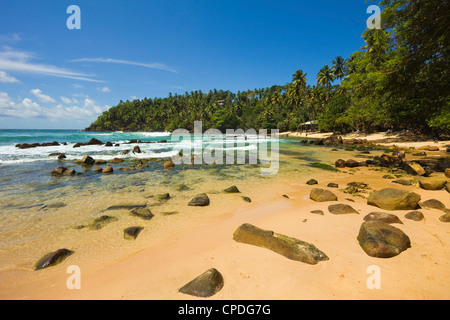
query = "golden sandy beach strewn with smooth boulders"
x=158 y=269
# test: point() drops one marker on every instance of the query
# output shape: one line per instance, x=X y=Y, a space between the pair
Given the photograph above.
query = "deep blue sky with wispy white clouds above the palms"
x=56 y=77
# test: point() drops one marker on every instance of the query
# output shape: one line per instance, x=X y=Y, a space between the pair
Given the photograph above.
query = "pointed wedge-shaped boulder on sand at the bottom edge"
x=205 y=285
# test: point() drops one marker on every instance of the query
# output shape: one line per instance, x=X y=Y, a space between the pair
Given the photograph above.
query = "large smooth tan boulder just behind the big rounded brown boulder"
x=394 y=199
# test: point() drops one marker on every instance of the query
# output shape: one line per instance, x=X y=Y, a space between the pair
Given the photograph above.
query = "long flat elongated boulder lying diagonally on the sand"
x=291 y=248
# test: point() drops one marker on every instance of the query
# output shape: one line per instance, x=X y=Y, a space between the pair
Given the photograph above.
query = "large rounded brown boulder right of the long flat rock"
x=381 y=240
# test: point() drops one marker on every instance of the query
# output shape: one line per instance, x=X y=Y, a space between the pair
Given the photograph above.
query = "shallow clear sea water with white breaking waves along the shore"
x=40 y=213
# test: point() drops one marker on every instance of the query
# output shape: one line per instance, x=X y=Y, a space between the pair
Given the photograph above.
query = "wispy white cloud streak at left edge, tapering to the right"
x=18 y=61
